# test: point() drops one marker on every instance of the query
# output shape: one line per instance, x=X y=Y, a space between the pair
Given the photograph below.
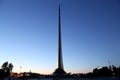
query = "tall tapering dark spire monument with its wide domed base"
x=60 y=70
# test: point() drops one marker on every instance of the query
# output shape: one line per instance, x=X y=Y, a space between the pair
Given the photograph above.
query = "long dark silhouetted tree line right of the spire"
x=111 y=71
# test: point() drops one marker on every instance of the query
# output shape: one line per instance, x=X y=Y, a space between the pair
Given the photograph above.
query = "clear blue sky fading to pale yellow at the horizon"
x=29 y=34
